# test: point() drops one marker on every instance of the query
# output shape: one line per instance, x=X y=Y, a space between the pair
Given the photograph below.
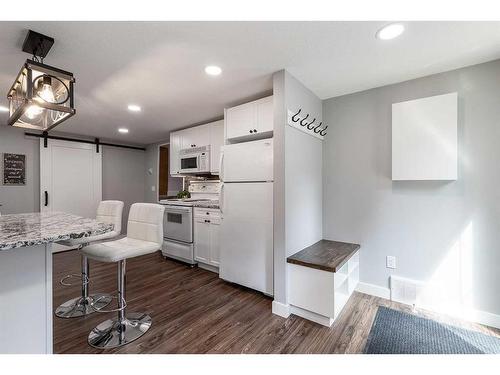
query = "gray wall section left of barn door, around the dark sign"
x=18 y=199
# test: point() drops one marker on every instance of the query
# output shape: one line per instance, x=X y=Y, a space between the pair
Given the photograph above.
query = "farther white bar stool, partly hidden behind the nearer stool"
x=109 y=212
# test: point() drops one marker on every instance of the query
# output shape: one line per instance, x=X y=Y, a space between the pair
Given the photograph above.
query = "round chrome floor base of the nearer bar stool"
x=113 y=334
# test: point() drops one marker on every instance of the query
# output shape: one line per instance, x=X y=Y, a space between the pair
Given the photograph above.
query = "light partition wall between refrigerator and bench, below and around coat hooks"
x=298 y=178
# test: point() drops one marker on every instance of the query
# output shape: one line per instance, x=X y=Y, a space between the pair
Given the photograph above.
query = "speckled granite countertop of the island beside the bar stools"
x=39 y=228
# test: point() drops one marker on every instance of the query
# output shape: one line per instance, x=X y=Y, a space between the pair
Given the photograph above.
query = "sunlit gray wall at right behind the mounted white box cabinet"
x=422 y=223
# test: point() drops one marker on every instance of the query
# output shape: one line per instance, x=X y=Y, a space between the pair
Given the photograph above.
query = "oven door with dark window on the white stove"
x=178 y=223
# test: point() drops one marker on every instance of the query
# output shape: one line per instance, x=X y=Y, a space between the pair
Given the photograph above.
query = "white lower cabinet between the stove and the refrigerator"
x=207 y=237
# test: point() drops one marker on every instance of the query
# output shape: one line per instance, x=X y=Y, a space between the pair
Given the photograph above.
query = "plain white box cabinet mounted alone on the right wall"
x=424 y=139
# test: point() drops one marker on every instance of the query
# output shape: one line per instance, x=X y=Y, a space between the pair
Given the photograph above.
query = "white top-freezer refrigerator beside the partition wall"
x=246 y=202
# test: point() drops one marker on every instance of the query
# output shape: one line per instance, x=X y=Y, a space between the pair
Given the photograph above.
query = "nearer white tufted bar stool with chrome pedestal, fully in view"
x=144 y=236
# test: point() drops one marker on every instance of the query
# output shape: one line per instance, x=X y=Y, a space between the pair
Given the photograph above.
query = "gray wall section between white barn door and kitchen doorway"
x=123 y=173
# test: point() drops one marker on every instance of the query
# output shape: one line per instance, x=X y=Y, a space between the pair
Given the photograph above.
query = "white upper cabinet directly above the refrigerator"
x=252 y=120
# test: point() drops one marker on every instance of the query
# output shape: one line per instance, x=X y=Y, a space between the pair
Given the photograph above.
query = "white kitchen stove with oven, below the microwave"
x=178 y=220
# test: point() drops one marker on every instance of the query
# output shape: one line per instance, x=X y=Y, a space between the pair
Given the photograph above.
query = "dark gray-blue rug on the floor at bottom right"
x=396 y=332
